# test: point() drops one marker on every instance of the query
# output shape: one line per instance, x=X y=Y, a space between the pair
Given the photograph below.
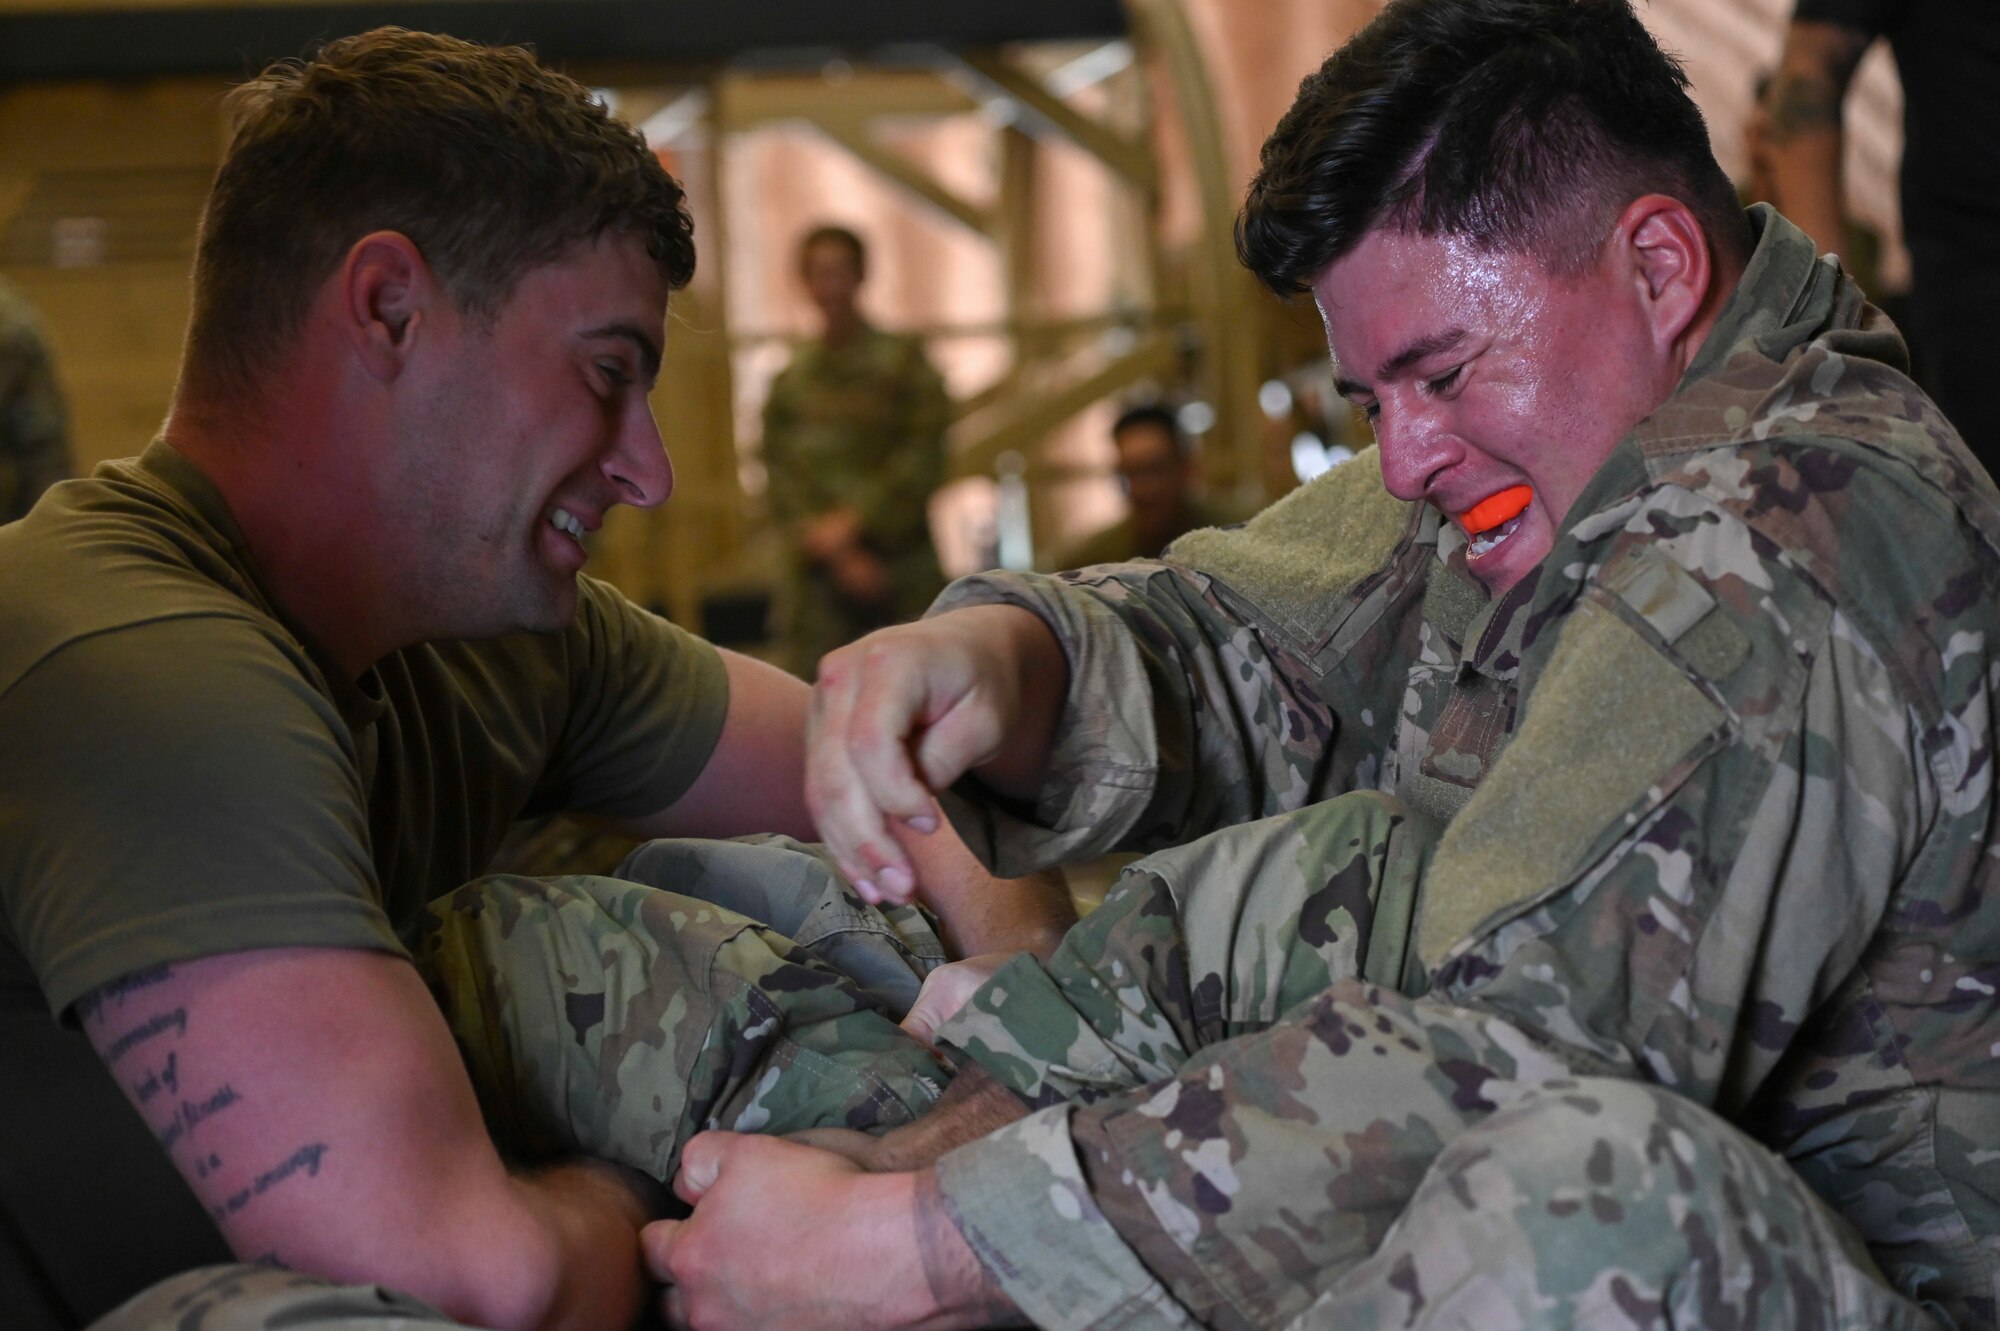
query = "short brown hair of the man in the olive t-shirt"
x=487 y=161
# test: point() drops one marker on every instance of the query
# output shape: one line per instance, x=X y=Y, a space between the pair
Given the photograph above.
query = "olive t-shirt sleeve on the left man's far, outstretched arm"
x=647 y=708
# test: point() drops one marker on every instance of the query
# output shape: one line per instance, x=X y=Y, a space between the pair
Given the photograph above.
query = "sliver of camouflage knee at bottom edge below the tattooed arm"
x=243 y=1298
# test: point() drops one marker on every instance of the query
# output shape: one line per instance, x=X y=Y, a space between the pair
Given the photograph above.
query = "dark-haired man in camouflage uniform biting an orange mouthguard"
x=1591 y=914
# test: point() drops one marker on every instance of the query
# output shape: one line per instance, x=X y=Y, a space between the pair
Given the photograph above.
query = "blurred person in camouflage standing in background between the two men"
x=853 y=449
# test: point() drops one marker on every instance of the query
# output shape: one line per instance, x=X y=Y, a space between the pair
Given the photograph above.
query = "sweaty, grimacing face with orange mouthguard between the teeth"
x=1483 y=373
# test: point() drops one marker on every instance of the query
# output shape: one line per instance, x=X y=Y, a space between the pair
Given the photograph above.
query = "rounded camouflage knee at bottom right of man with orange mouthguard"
x=1613 y=1206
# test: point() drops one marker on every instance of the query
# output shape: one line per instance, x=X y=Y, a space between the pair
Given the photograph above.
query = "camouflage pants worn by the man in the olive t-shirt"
x=611 y=1018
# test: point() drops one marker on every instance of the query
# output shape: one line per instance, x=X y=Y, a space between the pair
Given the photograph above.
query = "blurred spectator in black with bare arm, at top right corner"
x=1949 y=57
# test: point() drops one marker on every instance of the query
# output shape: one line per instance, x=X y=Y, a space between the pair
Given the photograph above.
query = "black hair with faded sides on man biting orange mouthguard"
x=1521 y=125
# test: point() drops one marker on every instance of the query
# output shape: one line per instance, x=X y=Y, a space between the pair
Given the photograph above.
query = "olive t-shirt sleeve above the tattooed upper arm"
x=177 y=790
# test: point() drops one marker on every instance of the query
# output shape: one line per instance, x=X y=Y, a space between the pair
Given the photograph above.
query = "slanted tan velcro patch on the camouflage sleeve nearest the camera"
x=1611 y=730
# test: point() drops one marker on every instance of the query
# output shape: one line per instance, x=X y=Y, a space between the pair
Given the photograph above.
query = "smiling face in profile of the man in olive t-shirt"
x=525 y=433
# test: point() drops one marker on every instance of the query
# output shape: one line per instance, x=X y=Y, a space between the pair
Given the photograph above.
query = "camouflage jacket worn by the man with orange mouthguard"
x=1715 y=782
